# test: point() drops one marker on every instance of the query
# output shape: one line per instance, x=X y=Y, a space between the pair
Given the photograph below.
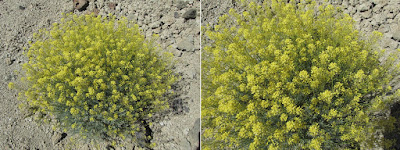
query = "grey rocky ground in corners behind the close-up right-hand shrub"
x=370 y=15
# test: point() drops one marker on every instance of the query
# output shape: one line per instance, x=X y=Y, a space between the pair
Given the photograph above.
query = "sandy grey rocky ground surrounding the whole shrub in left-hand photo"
x=176 y=21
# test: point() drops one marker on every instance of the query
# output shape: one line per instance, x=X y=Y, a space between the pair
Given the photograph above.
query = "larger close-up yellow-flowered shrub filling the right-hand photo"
x=286 y=75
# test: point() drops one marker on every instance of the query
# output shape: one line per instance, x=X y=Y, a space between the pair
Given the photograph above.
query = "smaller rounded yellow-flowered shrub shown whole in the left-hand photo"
x=97 y=77
